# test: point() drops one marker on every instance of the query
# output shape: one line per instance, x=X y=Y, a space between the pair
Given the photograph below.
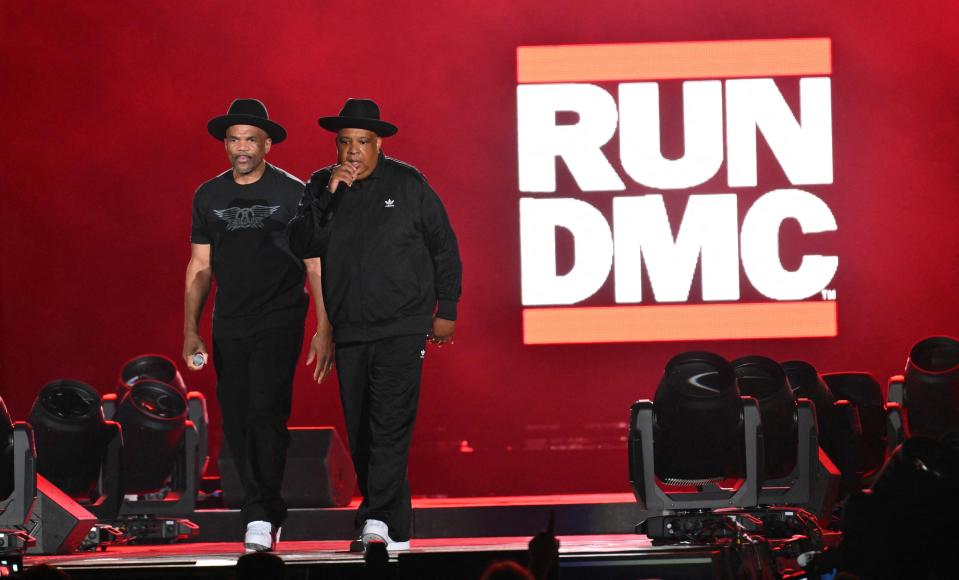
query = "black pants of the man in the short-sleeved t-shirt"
x=255 y=387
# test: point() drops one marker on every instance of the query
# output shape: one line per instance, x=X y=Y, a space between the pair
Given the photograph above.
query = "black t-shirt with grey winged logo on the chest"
x=259 y=282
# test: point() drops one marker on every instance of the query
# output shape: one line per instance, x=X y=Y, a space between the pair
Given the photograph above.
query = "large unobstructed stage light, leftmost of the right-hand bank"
x=697 y=434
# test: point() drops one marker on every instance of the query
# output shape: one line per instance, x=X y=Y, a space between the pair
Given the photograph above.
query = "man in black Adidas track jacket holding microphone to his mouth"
x=391 y=278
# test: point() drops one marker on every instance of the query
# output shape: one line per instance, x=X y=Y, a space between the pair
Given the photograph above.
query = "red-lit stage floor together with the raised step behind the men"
x=453 y=538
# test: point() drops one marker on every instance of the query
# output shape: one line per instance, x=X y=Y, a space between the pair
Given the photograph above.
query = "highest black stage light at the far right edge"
x=928 y=392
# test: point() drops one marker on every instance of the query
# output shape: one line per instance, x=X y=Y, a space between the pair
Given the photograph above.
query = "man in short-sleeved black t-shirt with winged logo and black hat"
x=239 y=219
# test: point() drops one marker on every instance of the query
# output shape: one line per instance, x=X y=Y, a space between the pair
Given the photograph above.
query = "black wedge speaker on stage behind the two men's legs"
x=318 y=474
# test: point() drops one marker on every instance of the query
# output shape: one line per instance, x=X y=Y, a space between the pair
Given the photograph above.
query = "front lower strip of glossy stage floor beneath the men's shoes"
x=580 y=557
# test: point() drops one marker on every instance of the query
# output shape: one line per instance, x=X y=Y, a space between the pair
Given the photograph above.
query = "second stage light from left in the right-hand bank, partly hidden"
x=797 y=472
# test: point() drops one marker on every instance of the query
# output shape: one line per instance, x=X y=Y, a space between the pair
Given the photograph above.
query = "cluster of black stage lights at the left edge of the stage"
x=125 y=459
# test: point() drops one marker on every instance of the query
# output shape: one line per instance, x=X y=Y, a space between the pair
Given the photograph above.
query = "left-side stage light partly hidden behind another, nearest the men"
x=160 y=368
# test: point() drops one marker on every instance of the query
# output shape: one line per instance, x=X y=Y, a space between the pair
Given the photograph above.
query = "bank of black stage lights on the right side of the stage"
x=816 y=462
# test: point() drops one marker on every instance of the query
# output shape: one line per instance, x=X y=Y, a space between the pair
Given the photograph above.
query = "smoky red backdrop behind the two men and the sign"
x=104 y=141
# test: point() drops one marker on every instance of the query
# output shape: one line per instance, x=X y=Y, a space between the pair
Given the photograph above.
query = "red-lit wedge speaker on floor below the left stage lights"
x=58 y=522
